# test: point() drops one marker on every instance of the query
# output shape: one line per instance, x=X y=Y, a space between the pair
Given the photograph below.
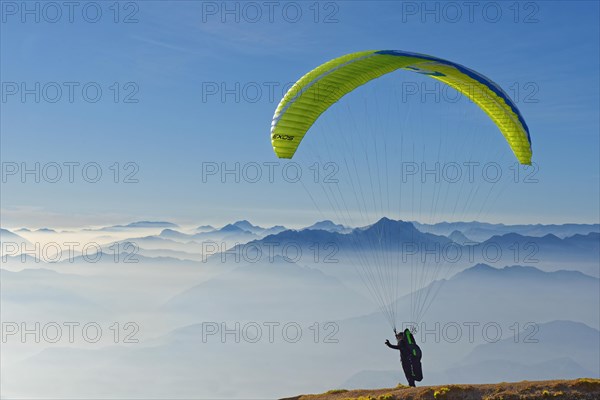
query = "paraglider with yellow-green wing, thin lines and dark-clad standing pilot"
x=319 y=89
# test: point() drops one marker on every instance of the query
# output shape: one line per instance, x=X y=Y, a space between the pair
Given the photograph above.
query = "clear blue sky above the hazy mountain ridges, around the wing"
x=175 y=58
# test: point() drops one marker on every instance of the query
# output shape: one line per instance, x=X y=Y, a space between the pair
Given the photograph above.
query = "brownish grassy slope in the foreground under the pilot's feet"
x=578 y=389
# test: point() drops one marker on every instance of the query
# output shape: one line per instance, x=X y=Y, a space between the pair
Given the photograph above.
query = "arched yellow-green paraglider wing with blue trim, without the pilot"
x=316 y=91
